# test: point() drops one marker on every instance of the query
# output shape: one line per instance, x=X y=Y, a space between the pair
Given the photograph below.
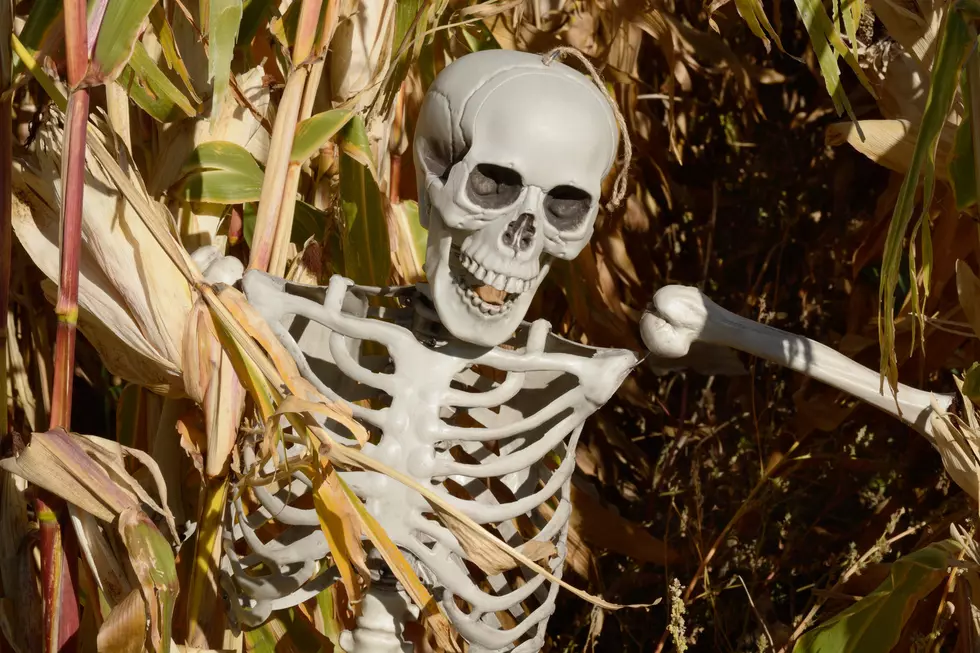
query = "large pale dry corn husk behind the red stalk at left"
x=133 y=301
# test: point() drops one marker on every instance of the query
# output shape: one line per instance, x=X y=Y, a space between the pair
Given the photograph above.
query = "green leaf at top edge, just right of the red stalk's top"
x=118 y=35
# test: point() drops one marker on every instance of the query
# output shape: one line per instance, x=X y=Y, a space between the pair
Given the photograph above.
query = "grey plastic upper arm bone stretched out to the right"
x=680 y=316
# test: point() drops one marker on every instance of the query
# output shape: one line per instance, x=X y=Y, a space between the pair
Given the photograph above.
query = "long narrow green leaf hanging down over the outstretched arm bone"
x=954 y=44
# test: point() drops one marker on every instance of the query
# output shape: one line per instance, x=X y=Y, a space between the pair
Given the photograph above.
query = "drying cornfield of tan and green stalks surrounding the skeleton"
x=810 y=165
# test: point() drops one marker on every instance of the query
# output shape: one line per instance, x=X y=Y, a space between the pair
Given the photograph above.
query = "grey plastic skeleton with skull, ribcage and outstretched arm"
x=458 y=391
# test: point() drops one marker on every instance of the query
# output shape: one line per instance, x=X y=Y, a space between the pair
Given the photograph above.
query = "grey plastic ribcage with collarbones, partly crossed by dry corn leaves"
x=492 y=430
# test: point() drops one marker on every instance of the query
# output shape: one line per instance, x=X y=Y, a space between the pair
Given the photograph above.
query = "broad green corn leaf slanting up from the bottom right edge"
x=874 y=624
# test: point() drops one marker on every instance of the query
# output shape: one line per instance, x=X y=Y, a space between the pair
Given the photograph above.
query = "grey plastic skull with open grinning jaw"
x=511 y=153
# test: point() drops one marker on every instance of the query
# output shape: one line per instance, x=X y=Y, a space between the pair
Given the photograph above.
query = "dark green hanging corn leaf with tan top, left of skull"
x=367 y=256
